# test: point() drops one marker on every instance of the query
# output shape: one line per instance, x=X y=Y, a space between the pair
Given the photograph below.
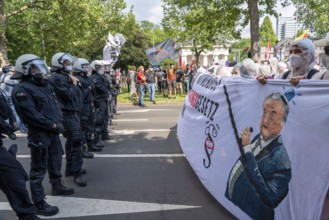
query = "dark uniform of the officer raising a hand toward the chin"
x=70 y=98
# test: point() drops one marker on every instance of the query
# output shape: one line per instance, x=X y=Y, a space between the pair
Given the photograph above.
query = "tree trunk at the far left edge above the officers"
x=3 y=41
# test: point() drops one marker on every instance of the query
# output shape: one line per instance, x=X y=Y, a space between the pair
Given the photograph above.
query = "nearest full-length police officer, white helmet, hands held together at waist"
x=36 y=104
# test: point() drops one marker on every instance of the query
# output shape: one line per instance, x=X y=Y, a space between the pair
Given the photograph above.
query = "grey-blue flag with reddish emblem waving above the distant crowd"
x=160 y=52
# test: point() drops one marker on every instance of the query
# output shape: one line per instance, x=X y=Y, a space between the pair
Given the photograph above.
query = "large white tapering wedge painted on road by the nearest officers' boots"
x=70 y=207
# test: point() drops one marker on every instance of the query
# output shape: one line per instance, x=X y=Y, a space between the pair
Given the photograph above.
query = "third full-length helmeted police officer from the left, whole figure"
x=81 y=69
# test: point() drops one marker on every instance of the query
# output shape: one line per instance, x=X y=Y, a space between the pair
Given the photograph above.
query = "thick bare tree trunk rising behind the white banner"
x=254 y=29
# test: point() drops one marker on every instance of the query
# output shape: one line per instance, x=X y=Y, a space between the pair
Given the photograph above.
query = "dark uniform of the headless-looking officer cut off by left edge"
x=12 y=175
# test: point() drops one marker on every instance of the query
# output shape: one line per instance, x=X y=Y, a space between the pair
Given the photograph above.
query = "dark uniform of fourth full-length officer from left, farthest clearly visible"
x=100 y=104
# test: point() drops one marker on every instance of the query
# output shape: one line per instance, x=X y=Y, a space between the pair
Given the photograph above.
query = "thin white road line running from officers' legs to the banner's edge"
x=22 y=156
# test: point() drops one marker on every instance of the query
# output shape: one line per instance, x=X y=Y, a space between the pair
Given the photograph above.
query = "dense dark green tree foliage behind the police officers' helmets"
x=80 y=29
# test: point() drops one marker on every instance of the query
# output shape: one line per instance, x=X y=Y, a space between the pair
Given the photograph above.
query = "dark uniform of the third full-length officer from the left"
x=87 y=114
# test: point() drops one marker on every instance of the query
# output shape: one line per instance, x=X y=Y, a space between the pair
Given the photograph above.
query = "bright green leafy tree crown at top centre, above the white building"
x=200 y=23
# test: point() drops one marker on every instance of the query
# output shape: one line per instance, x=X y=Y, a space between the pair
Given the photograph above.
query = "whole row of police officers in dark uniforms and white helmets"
x=73 y=97
